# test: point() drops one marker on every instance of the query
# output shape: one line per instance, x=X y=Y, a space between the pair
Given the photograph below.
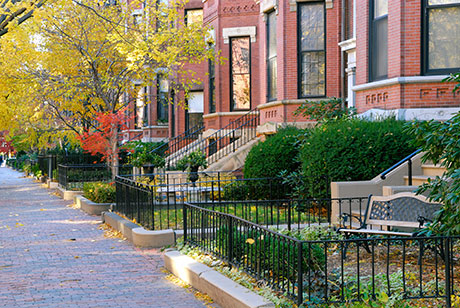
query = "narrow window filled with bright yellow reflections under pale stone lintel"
x=240 y=73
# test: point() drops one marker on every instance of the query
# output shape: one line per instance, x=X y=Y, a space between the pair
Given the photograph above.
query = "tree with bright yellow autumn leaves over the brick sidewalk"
x=78 y=59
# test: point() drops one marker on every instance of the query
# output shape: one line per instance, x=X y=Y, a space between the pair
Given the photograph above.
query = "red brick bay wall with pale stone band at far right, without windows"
x=406 y=85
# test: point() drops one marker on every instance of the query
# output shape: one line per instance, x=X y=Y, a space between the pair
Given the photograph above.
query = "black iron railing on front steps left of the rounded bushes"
x=222 y=142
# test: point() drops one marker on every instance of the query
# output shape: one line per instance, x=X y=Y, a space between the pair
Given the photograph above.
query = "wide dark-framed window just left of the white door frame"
x=312 y=49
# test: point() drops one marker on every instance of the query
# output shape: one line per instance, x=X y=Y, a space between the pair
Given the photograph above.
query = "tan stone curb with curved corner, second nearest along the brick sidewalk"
x=138 y=235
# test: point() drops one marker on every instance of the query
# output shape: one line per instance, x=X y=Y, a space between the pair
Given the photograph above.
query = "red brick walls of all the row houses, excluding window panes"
x=348 y=55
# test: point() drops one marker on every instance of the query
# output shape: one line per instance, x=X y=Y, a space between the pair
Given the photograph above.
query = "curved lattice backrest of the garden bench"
x=400 y=210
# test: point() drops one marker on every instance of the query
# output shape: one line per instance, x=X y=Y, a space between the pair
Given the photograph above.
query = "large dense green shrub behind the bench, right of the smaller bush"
x=353 y=150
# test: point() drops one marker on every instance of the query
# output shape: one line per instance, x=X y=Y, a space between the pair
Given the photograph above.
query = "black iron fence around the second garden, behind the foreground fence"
x=264 y=201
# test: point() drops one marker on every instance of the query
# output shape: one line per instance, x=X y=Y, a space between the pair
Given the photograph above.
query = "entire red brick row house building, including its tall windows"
x=381 y=56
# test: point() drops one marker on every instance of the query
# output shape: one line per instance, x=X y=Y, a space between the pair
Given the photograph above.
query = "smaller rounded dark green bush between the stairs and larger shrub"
x=276 y=154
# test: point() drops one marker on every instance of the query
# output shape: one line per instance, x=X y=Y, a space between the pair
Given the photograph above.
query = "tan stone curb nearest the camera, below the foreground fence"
x=221 y=289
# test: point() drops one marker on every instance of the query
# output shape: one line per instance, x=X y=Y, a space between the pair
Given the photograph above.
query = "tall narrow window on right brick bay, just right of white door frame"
x=378 y=40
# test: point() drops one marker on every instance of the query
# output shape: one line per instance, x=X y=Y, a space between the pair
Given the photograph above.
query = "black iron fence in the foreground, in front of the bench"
x=331 y=271
